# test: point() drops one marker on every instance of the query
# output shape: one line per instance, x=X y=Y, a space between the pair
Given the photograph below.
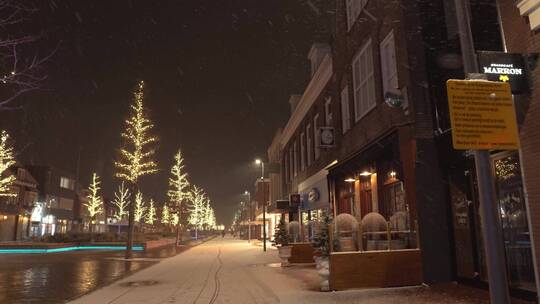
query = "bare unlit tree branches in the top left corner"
x=19 y=73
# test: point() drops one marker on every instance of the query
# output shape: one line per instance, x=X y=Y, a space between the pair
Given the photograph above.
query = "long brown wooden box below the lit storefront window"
x=375 y=269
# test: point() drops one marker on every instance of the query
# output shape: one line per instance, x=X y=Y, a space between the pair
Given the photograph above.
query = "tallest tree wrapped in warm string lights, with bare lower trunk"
x=136 y=155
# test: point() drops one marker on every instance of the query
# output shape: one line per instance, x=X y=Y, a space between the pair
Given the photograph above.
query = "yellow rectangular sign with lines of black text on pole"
x=482 y=115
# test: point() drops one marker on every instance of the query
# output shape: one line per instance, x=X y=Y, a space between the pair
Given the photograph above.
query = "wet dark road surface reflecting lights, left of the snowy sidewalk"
x=59 y=277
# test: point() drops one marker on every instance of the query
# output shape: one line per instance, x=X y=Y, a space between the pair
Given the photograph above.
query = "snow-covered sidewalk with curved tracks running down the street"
x=233 y=271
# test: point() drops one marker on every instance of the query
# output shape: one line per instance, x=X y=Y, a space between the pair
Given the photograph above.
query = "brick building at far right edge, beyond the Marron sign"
x=520 y=25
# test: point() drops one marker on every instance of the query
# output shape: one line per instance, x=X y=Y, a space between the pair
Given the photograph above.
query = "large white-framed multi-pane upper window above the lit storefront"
x=364 y=82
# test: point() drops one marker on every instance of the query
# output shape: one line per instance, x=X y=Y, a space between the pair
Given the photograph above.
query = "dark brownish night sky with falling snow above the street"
x=218 y=77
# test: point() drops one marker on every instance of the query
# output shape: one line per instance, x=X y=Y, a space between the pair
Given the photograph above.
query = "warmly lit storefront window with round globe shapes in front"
x=378 y=199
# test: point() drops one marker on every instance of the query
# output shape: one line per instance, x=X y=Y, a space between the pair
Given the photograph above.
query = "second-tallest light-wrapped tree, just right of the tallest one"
x=179 y=192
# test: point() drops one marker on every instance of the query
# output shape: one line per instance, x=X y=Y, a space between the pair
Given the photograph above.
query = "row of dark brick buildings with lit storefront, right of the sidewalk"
x=377 y=93
